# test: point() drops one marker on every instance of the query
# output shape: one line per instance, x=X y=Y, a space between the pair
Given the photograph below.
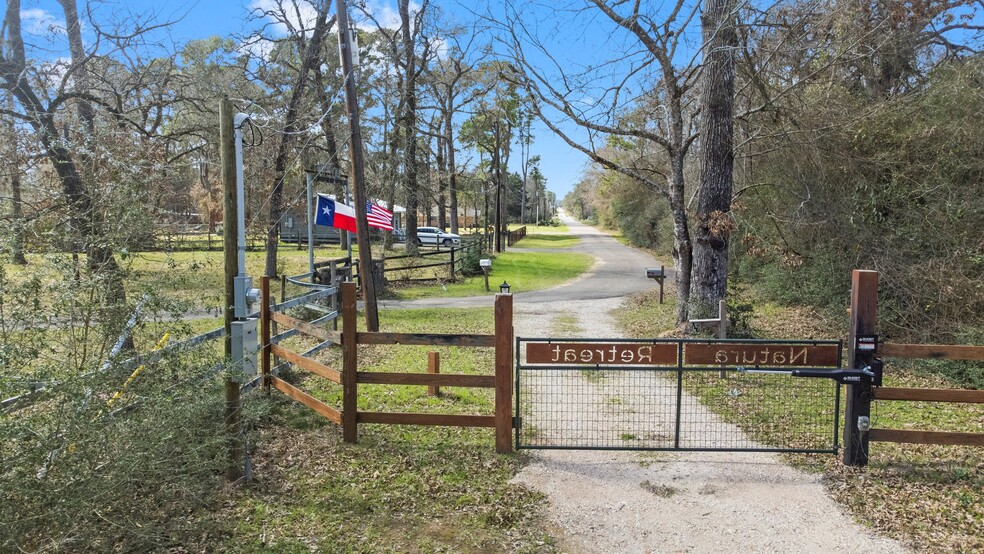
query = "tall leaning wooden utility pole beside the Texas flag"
x=358 y=171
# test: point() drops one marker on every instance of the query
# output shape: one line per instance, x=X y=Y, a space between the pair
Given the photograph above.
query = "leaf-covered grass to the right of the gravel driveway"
x=931 y=497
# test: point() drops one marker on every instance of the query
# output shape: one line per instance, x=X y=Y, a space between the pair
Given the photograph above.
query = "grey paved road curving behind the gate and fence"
x=618 y=271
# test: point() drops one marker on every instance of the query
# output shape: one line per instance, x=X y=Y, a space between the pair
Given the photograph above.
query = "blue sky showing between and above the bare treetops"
x=578 y=38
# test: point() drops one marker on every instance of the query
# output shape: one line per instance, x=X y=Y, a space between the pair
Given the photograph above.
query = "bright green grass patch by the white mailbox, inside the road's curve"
x=524 y=271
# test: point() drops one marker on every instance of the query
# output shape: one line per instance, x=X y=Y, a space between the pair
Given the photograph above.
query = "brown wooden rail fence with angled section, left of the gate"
x=349 y=416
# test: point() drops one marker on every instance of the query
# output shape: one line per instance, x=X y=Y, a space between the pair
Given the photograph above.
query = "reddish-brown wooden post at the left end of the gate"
x=503 y=373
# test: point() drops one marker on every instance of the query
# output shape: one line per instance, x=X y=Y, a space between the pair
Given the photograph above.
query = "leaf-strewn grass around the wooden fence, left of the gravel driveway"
x=401 y=488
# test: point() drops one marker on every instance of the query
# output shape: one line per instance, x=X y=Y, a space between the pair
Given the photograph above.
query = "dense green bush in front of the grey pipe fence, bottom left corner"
x=79 y=476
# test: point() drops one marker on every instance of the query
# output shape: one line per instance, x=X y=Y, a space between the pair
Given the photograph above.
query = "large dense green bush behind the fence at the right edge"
x=897 y=191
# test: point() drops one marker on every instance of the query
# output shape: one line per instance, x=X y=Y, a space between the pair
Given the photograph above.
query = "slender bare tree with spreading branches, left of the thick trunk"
x=648 y=80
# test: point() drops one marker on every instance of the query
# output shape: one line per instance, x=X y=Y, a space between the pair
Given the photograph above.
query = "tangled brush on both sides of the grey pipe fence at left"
x=77 y=473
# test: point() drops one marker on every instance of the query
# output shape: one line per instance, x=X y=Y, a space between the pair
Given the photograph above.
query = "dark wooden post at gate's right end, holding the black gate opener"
x=864 y=320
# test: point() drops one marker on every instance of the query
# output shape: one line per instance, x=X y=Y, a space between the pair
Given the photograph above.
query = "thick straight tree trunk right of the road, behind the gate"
x=713 y=220
